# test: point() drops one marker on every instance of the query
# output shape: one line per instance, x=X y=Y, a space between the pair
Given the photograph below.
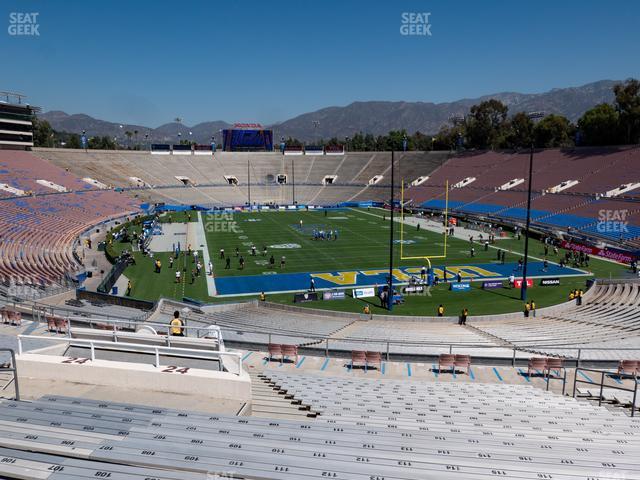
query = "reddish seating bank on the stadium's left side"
x=38 y=230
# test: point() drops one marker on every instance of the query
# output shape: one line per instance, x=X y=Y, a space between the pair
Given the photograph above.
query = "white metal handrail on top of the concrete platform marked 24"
x=137 y=347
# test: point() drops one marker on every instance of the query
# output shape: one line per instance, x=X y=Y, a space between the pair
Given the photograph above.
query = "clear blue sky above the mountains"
x=146 y=61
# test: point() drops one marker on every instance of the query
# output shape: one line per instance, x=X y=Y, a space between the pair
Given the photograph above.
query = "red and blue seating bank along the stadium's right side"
x=597 y=171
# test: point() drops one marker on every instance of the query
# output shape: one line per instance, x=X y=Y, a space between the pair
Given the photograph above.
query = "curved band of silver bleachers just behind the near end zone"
x=605 y=327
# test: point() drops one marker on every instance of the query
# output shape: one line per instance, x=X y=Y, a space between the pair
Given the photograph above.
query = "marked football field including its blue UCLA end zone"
x=341 y=248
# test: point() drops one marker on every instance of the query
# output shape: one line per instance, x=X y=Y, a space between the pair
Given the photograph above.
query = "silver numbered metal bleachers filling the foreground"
x=367 y=429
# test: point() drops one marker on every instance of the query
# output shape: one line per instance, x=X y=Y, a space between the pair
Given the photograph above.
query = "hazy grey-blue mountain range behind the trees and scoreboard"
x=376 y=117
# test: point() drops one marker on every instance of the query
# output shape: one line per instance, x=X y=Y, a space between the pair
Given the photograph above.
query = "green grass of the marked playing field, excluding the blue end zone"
x=363 y=242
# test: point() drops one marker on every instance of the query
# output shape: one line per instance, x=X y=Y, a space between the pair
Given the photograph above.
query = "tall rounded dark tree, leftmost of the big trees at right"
x=485 y=125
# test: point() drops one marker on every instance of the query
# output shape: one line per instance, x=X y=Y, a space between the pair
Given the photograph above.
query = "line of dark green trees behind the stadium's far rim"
x=488 y=125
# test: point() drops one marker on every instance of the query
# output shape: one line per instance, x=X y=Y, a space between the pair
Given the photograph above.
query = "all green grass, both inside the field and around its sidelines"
x=363 y=243
